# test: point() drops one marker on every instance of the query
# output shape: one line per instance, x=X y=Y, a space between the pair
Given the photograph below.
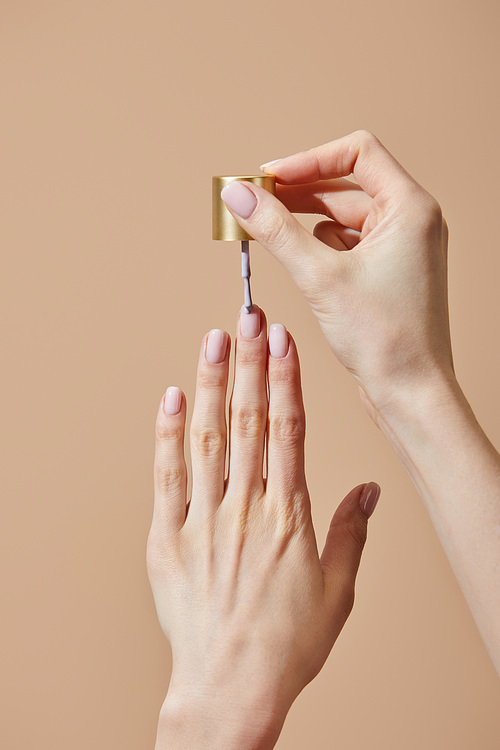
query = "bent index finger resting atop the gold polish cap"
x=359 y=153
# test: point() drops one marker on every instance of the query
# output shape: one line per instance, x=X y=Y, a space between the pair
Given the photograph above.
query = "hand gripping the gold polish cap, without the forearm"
x=375 y=274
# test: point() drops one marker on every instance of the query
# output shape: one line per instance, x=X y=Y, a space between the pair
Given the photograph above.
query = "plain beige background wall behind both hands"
x=115 y=115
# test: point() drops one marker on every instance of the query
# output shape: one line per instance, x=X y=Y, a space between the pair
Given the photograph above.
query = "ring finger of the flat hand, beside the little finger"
x=208 y=426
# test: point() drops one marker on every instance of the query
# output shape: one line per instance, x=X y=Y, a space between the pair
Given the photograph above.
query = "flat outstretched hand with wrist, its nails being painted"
x=250 y=608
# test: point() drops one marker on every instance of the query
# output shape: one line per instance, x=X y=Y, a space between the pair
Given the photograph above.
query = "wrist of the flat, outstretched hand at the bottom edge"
x=208 y=719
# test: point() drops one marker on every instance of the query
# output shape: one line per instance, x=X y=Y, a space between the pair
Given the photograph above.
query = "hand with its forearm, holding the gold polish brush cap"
x=375 y=275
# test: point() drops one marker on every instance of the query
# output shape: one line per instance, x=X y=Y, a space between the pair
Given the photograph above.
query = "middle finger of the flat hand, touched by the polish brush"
x=248 y=409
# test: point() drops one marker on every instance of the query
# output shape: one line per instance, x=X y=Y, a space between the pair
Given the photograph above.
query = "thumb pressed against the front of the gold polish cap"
x=270 y=223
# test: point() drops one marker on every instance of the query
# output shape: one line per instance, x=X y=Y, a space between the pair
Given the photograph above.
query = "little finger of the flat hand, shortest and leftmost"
x=170 y=474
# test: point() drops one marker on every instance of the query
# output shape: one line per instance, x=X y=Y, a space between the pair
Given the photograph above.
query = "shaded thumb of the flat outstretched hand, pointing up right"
x=347 y=536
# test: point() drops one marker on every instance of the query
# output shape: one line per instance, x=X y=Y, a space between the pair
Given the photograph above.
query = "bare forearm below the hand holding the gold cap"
x=456 y=471
